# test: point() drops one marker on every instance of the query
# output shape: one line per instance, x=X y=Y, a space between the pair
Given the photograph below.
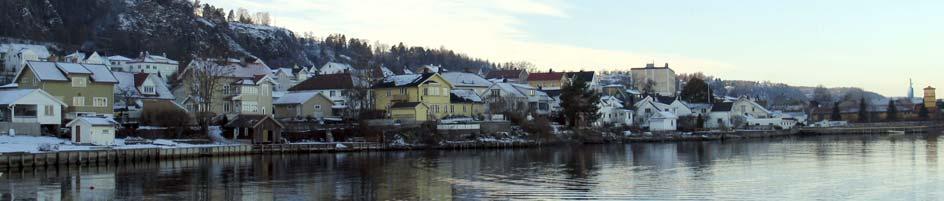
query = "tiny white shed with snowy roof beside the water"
x=93 y=130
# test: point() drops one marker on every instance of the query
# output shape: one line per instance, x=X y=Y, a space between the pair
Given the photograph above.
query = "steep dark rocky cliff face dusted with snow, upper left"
x=126 y=27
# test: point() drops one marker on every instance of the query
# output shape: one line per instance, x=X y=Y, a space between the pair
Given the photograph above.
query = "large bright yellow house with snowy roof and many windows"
x=431 y=89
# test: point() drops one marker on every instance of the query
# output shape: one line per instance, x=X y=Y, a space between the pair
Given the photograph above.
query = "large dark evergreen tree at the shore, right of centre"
x=579 y=103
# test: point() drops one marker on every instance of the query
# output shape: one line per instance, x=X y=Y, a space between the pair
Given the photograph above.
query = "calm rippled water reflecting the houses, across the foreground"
x=808 y=168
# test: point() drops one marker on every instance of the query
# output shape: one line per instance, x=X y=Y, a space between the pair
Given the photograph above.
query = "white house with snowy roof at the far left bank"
x=30 y=106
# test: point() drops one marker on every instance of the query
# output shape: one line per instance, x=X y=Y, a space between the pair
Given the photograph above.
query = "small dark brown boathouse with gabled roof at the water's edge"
x=258 y=129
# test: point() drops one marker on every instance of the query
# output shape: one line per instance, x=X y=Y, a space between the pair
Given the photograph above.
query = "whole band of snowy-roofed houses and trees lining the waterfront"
x=92 y=99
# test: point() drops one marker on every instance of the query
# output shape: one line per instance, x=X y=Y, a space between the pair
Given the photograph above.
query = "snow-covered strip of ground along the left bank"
x=32 y=144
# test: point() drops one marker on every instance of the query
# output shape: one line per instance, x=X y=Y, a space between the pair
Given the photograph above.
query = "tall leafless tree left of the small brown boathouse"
x=205 y=81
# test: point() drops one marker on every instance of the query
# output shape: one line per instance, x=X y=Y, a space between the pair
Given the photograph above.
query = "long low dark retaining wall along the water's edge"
x=22 y=160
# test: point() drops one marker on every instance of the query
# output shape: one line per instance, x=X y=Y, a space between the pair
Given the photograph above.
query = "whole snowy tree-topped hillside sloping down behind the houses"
x=183 y=31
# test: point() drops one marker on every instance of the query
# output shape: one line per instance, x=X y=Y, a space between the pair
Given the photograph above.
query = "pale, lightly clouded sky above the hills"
x=875 y=45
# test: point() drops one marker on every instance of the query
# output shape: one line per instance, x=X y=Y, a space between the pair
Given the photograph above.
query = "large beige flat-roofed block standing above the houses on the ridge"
x=663 y=79
